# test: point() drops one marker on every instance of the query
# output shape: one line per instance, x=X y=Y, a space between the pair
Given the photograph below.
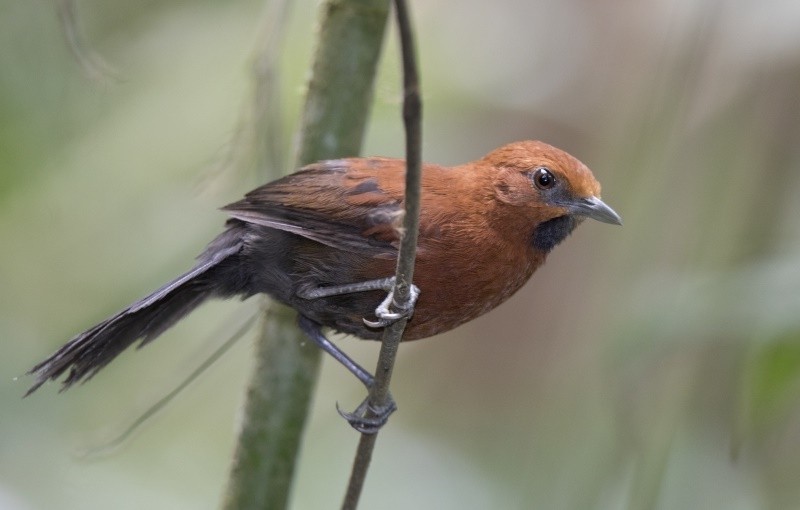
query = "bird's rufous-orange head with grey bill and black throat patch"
x=549 y=190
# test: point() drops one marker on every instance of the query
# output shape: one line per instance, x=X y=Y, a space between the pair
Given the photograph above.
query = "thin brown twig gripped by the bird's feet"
x=412 y=119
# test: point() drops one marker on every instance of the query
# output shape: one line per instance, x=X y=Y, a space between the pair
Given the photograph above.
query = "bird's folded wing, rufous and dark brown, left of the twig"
x=339 y=203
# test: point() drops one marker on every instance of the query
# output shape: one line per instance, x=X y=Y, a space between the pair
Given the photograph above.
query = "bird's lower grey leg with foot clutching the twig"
x=358 y=419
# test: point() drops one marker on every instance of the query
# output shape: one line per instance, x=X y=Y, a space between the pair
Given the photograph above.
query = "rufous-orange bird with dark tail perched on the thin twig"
x=324 y=241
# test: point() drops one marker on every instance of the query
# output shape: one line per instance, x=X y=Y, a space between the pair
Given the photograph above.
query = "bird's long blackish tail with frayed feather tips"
x=217 y=274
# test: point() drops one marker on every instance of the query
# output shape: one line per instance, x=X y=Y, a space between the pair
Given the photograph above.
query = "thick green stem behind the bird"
x=337 y=106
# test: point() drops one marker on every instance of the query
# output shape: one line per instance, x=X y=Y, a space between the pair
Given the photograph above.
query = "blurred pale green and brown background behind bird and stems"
x=651 y=366
